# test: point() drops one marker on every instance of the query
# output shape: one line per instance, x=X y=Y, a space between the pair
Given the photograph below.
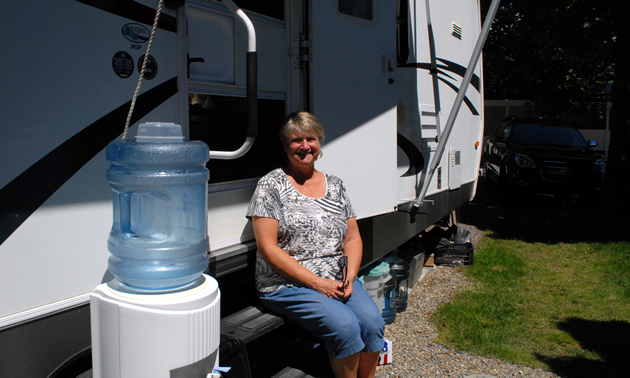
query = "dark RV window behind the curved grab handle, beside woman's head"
x=220 y=121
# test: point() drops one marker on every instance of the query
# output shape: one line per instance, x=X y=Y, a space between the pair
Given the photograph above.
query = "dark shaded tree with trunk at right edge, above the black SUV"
x=561 y=55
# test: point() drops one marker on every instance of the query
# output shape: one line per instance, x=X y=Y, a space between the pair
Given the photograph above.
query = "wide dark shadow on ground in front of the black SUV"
x=536 y=219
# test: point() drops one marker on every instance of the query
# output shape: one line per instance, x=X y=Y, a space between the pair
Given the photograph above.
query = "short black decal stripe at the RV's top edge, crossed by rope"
x=134 y=11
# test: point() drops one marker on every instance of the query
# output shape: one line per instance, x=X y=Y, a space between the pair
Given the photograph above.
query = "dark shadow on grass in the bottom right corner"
x=608 y=339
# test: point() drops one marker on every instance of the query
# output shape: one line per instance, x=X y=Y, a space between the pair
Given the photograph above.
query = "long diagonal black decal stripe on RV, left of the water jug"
x=26 y=193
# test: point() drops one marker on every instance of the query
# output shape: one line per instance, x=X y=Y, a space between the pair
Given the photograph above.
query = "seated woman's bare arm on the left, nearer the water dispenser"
x=266 y=233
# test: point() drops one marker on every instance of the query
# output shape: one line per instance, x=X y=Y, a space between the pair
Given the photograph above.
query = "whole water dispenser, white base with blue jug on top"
x=160 y=317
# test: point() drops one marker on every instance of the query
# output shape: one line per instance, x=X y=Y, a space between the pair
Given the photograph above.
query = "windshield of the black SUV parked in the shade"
x=545 y=135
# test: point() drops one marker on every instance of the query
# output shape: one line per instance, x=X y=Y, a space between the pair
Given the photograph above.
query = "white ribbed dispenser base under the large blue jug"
x=159 y=335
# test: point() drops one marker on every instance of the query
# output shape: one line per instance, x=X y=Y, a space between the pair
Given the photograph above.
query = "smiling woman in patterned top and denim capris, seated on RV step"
x=309 y=253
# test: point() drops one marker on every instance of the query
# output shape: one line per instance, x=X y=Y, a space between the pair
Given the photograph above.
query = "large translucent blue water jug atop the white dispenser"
x=159 y=237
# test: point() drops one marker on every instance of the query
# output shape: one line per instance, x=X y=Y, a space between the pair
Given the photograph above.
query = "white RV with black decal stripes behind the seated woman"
x=381 y=76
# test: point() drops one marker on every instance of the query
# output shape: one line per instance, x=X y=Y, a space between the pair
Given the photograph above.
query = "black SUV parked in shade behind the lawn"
x=543 y=158
